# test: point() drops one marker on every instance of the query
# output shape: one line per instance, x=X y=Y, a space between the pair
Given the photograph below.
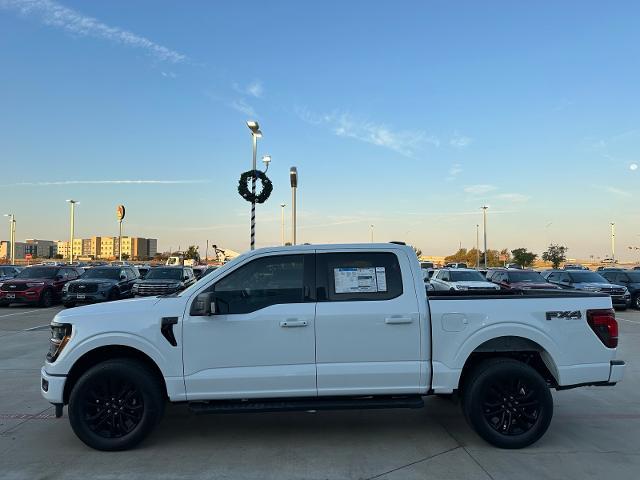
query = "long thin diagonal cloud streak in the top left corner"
x=54 y=14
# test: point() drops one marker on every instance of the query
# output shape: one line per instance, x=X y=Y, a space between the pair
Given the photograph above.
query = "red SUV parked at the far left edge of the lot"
x=39 y=284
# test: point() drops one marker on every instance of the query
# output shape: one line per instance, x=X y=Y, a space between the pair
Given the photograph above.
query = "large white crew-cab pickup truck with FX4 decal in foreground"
x=326 y=327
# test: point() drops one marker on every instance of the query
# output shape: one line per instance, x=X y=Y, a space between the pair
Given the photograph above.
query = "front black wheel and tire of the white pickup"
x=116 y=404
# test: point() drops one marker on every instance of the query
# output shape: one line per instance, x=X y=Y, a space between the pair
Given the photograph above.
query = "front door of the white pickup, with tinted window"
x=260 y=343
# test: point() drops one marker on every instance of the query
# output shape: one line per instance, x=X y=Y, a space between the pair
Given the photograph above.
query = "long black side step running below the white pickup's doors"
x=305 y=404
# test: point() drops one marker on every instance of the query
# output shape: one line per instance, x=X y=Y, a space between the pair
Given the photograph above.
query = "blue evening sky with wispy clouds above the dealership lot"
x=408 y=116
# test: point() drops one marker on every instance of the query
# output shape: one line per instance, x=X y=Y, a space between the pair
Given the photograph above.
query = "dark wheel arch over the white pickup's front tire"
x=108 y=352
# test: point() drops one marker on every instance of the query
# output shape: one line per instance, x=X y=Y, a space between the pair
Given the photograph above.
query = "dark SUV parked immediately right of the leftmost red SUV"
x=100 y=284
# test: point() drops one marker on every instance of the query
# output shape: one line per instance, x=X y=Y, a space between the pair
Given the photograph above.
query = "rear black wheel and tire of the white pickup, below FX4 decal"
x=507 y=403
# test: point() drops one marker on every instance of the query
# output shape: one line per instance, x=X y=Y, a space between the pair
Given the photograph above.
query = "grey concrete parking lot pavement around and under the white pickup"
x=595 y=432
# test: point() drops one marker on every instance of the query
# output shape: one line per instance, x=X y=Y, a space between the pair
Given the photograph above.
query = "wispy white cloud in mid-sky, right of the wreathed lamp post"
x=342 y=124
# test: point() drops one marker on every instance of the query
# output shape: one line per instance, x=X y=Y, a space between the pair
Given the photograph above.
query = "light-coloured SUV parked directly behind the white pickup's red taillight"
x=590 y=282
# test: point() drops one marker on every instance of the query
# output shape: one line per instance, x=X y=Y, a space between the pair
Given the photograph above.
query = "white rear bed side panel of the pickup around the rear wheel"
x=572 y=351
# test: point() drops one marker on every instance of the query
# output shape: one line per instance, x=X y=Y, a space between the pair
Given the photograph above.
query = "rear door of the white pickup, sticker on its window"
x=367 y=324
